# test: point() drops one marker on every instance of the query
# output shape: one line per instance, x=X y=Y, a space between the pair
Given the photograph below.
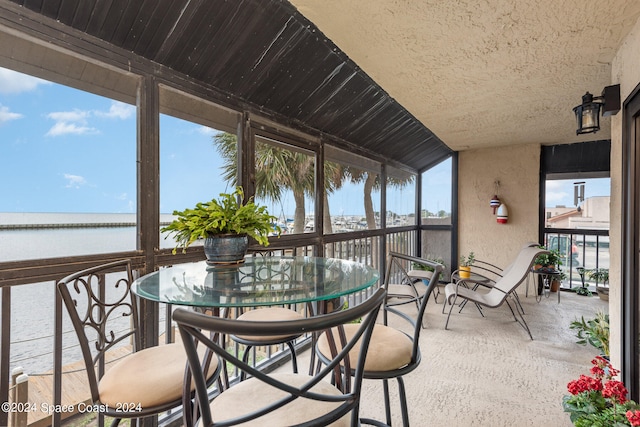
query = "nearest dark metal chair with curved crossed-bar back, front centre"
x=280 y=399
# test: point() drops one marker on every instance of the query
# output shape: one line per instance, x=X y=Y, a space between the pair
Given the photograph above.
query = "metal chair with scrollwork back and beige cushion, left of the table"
x=104 y=315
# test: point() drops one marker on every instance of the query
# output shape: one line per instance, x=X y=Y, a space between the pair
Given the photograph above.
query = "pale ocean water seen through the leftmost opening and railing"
x=32 y=306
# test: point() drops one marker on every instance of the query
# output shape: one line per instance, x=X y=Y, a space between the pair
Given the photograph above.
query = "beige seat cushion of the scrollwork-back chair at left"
x=149 y=377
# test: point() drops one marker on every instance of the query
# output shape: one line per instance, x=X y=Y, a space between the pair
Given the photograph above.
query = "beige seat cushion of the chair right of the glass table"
x=389 y=348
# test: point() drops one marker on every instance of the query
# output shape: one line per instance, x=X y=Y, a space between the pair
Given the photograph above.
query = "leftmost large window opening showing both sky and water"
x=68 y=165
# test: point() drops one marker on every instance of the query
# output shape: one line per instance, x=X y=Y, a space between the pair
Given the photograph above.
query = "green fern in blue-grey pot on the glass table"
x=225 y=224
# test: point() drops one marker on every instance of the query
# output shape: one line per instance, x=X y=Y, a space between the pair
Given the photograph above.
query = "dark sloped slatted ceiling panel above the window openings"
x=265 y=53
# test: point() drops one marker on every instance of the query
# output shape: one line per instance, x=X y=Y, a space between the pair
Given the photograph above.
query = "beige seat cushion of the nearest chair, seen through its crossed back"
x=253 y=394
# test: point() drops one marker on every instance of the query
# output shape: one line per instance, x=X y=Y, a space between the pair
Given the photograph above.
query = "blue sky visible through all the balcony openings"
x=65 y=150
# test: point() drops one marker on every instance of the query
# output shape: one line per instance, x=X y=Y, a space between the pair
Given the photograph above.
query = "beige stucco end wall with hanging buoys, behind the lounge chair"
x=517 y=169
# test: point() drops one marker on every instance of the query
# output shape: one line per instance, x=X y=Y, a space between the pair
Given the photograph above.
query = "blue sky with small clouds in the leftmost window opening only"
x=62 y=149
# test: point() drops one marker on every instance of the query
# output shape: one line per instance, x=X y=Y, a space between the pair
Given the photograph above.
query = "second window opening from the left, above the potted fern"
x=197 y=153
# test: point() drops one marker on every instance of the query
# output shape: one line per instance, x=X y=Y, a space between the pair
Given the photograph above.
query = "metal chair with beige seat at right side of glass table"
x=393 y=353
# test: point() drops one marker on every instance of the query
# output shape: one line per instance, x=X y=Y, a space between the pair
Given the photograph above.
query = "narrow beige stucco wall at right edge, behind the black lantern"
x=626 y=71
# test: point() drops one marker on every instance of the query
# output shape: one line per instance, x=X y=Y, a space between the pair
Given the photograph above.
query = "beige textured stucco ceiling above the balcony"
x=483 y=73
